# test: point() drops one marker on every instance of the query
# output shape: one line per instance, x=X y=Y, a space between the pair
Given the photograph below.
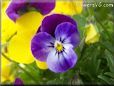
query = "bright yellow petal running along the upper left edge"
x=8 y=26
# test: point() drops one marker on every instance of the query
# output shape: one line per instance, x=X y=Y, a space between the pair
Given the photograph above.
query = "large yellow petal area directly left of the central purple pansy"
x=19 y=47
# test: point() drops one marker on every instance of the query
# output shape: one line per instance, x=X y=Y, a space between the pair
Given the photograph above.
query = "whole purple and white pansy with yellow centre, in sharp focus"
x=54 y=42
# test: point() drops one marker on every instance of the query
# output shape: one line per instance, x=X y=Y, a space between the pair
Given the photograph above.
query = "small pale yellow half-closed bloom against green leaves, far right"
x=92 y=36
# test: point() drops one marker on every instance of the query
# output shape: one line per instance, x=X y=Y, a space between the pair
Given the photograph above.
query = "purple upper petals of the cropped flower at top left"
x=43 y=6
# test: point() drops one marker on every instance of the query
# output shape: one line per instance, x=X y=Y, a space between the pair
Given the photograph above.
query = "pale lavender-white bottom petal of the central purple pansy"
x=62 y=62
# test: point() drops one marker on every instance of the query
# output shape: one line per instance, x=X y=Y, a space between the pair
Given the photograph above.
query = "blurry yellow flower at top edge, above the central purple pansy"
x=69 y=7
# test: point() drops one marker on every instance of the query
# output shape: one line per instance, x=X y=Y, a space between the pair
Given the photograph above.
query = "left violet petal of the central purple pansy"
x=40 y=45
